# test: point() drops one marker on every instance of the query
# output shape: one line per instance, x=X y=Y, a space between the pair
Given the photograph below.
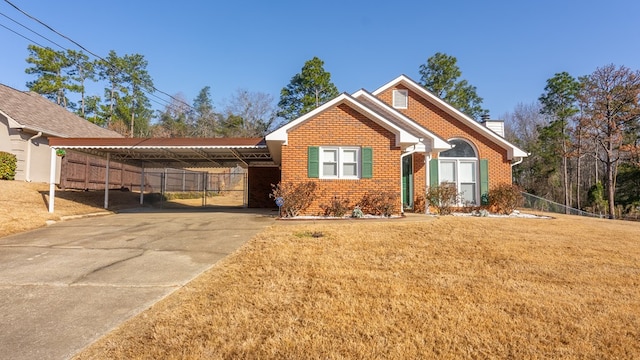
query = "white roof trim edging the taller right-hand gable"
x=512 y=150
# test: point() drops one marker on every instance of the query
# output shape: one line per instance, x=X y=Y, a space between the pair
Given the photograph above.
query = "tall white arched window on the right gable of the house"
x=459 y=166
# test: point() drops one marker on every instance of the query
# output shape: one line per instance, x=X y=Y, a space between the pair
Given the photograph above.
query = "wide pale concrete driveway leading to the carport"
x=64 y=286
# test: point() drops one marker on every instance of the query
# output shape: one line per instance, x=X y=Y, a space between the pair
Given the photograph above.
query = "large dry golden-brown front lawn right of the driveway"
x=448 y=287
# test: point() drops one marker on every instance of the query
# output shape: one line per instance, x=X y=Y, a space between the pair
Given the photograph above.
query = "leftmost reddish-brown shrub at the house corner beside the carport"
x=296 y=197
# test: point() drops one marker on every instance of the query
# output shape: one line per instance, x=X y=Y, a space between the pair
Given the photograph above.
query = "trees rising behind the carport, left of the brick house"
x=127 y=91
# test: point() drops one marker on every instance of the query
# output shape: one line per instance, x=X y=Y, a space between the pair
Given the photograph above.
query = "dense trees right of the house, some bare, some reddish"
x=584 y=138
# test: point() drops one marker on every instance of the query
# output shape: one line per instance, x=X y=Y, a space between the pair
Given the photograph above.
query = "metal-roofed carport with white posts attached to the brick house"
x=179 y=153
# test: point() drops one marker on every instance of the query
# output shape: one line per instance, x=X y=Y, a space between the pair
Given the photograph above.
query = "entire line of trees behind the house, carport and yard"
x=583 y=133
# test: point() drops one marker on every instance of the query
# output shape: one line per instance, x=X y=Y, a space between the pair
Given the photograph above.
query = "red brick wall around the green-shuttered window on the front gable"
x=342 y=126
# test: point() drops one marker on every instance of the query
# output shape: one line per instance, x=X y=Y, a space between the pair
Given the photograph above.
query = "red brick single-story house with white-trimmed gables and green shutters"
x=400 y=138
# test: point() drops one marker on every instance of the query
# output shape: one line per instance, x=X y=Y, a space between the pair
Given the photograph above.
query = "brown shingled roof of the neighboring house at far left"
x=30 y=111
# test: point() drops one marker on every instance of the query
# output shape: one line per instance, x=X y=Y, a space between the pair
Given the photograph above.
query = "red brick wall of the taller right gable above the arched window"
x=448 y=127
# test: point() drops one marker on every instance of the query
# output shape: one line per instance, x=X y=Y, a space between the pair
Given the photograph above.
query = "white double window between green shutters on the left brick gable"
x=340 y=162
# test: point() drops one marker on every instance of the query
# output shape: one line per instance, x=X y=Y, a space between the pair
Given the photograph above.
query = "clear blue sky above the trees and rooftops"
x=507 y=49
